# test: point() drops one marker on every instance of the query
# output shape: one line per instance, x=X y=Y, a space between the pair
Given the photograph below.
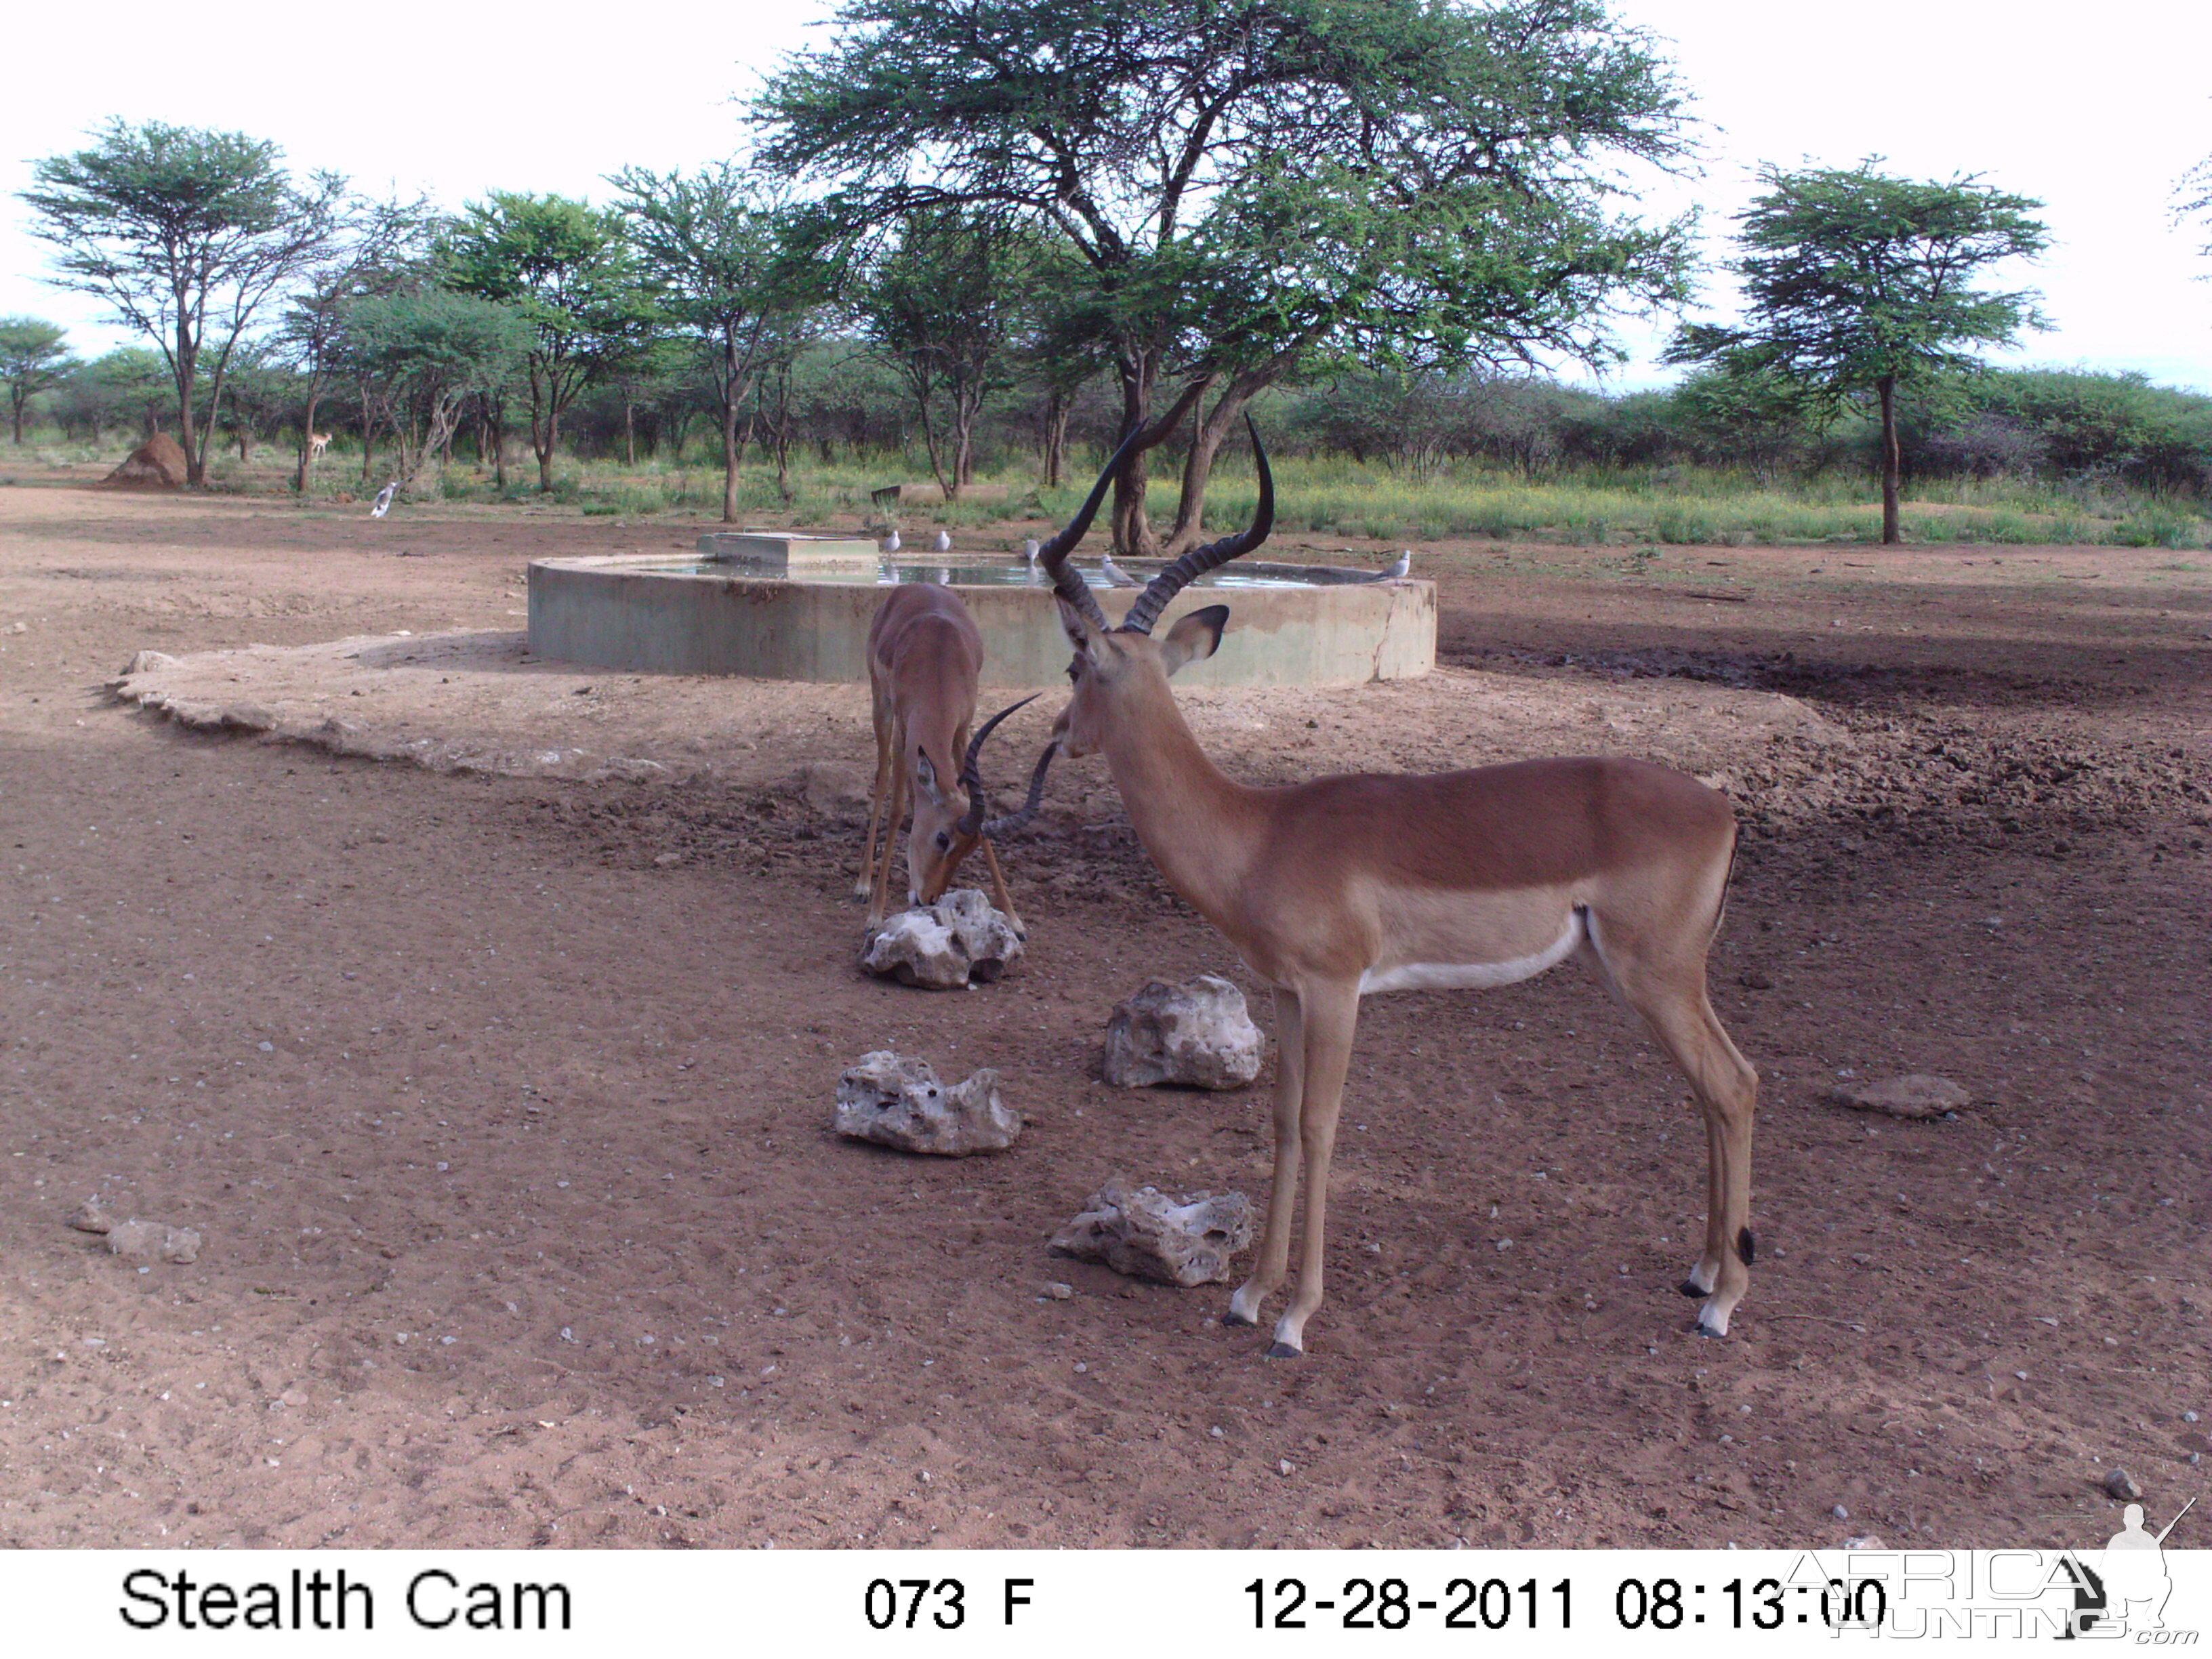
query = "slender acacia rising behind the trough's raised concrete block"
x=718 y=251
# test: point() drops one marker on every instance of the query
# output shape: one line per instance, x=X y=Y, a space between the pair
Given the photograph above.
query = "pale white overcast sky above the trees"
x=2091 y=112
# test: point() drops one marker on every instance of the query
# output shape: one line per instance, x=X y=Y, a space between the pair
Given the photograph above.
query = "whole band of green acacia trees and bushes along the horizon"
x=1359 y=222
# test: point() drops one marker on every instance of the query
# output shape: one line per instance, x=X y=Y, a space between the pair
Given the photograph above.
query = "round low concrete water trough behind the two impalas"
x=786 y=607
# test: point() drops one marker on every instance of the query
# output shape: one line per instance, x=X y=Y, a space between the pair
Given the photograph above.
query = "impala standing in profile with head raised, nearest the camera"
x=1388 y=884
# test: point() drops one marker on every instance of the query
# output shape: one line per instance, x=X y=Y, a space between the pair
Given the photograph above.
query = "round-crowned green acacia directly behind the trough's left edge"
x=567 y=269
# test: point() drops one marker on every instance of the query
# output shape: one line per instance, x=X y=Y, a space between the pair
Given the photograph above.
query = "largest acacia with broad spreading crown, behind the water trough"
x=1253 y=187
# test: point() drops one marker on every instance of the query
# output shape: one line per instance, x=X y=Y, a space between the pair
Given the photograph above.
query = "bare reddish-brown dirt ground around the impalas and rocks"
x=483 y=1016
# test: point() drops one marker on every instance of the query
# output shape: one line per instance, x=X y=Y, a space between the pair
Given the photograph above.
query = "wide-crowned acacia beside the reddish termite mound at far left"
x=187 y=233
